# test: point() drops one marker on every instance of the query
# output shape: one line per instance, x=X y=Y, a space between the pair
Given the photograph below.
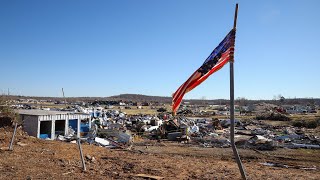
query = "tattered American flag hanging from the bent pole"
x=217 y=59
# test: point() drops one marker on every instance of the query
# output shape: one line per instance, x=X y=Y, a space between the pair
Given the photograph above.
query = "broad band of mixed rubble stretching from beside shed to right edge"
x=114 y=129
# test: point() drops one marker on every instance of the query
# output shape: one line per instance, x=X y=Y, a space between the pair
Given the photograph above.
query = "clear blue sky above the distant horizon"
x=105 y=48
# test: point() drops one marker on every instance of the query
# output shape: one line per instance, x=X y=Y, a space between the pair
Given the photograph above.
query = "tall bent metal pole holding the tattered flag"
x=234 y=148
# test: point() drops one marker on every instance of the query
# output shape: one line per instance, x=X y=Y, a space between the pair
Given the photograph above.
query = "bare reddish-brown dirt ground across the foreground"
x=34 y=158
